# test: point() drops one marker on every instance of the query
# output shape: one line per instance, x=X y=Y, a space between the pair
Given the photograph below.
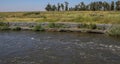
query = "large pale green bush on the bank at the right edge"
x=114 y=30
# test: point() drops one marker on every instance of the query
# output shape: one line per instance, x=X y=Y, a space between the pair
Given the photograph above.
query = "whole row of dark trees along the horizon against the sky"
x=93 y=6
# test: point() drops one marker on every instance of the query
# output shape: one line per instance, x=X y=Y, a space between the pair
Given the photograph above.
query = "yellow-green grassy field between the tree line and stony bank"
x=103 y=17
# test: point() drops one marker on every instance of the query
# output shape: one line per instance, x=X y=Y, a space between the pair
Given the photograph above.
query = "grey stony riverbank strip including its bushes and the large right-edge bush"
x=109 y=29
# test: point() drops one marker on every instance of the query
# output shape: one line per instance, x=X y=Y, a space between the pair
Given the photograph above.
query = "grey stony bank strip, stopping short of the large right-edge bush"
x=59 y=27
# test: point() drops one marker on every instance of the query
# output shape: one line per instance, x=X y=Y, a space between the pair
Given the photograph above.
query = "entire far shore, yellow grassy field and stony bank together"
x=63 y=21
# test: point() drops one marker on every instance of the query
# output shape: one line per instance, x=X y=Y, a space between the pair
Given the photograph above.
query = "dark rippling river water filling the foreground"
x=26 y=47
